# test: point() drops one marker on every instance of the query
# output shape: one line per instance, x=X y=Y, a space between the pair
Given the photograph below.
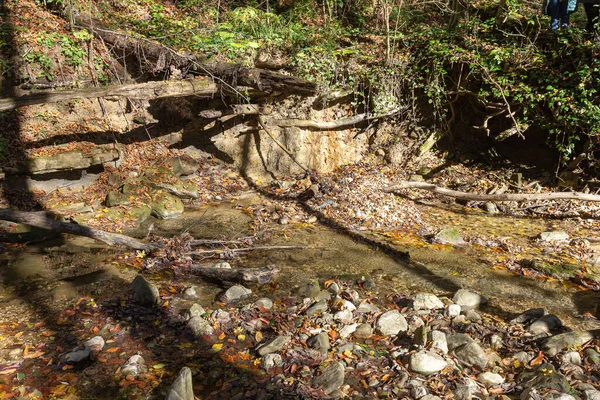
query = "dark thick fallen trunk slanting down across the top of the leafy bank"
x=161 y=57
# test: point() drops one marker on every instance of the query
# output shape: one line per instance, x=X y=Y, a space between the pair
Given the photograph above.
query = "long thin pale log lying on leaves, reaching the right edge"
x=494 y=197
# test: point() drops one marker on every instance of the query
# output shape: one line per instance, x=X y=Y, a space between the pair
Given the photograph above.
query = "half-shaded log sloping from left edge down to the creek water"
x=45 y=220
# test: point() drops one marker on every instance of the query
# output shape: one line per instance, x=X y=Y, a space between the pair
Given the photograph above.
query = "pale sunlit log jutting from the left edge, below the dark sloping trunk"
x=200 y=86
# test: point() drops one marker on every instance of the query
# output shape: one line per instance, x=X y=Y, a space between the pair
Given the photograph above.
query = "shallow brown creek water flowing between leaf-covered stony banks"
x=330 y=253
